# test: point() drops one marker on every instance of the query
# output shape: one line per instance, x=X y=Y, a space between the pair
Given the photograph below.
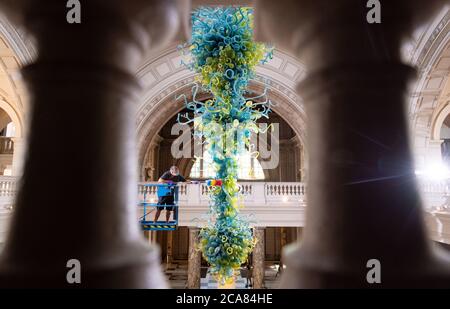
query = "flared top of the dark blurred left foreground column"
x=128 y=28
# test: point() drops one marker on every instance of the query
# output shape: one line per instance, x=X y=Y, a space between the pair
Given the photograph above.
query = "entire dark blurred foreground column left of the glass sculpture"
x=78 y=195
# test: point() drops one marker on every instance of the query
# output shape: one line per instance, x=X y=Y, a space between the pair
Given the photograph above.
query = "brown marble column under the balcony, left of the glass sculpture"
x=194 y=259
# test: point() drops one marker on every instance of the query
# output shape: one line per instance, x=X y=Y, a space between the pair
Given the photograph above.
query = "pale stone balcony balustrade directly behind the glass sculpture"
x=265 y=203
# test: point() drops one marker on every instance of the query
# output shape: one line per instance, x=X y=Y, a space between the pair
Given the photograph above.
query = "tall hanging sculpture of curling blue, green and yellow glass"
x=225 y=56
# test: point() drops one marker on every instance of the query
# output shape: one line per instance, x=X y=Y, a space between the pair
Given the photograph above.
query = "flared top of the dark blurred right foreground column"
x=330 y=33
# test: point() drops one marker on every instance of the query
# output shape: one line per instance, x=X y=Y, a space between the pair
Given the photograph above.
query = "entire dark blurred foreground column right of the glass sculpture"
x=362 y=198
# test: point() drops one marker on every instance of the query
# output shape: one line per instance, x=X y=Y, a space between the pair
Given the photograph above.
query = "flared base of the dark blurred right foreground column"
x=304 y=270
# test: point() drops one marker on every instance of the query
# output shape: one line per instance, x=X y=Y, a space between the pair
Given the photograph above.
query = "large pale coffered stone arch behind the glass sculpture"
x=164 y=79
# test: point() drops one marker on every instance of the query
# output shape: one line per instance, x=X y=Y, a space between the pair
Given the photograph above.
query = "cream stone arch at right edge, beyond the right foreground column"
x=429 y=99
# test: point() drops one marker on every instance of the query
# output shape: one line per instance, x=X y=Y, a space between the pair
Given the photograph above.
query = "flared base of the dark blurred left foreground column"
x=138 y=268
